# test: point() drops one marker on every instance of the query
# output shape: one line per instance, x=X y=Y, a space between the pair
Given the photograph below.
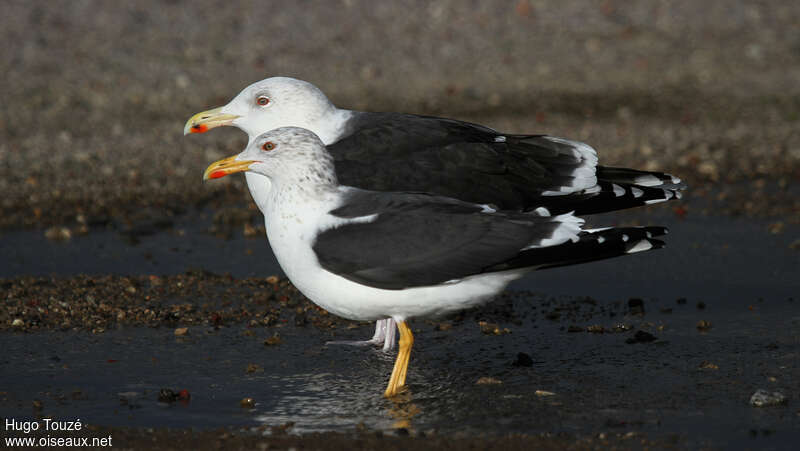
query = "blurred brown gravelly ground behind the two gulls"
x=95 y=93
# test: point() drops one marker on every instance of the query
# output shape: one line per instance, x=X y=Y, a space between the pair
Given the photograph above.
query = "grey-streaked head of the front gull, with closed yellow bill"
x=277 y=153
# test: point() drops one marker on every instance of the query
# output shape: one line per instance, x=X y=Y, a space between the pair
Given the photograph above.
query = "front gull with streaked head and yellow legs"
x=371 y=255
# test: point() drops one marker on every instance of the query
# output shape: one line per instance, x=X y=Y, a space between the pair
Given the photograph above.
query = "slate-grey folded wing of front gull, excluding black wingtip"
x=420 y=240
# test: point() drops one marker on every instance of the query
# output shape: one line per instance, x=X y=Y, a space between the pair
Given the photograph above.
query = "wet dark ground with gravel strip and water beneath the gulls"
x=664 y=348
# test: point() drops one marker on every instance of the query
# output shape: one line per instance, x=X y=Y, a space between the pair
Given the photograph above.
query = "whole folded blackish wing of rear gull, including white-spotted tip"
x=404 y=152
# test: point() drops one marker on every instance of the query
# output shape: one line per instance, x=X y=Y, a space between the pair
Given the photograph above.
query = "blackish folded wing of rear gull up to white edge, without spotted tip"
x=403 y=152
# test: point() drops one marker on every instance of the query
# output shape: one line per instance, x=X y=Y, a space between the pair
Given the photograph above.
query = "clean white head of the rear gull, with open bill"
x=266 y=105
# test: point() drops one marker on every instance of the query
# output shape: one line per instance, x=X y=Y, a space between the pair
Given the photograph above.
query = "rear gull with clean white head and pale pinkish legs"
x=447 y=157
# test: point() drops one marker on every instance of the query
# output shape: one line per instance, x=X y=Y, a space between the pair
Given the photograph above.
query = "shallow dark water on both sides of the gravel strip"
x=745 y=278
